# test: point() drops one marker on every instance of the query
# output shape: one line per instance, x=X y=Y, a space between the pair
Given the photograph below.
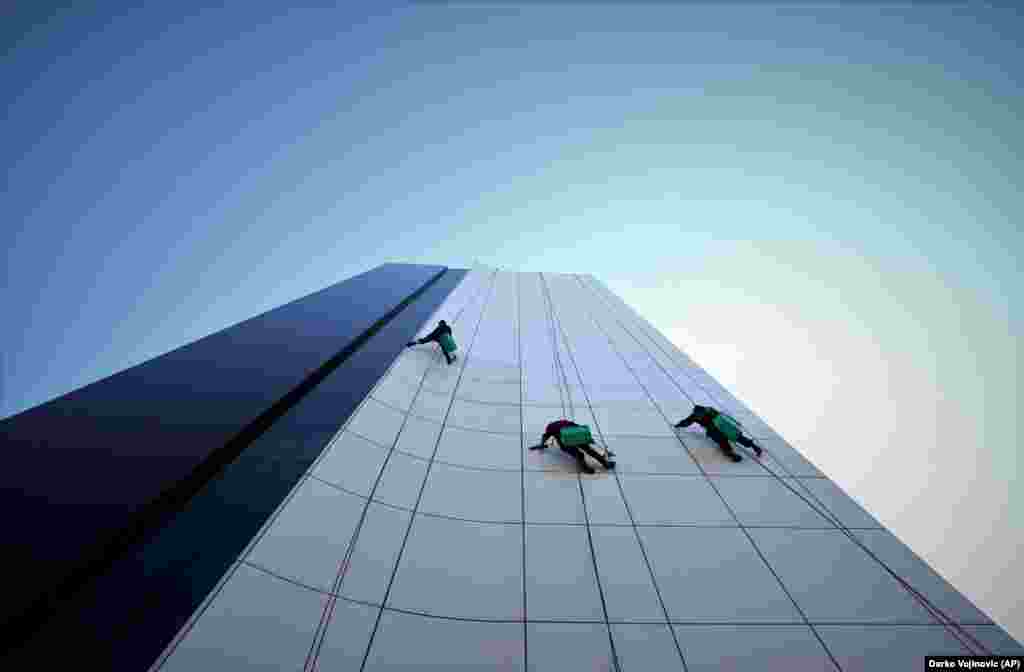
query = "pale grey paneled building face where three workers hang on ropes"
x=425 y=534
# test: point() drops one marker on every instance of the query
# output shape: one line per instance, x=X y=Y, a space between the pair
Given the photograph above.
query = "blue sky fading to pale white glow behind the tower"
x=819 y=204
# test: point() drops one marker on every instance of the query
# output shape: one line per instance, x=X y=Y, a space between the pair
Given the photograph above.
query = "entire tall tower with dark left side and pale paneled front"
x=303 y=491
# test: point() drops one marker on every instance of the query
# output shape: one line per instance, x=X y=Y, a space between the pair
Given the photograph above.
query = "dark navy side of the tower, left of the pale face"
x=125 y=524
